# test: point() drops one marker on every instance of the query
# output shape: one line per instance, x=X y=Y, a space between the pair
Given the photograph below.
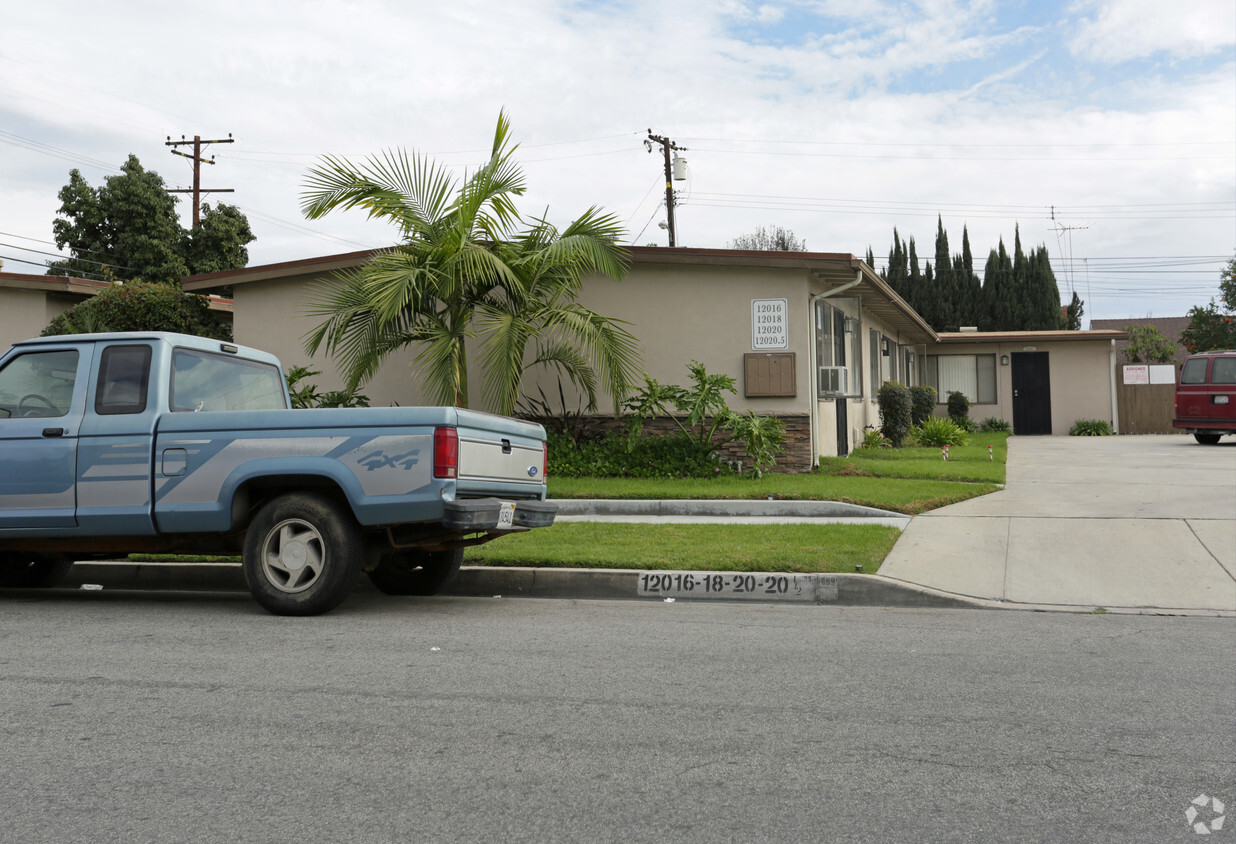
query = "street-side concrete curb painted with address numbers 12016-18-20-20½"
x=573 y=584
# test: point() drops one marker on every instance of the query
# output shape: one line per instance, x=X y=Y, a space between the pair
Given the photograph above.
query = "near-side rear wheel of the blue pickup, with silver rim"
x=302 y=555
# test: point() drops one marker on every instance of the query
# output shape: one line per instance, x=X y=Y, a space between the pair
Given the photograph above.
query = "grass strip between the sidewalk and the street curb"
x=794 y=548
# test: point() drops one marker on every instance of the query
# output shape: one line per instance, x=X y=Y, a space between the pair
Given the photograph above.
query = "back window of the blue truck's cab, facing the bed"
x=202 y=381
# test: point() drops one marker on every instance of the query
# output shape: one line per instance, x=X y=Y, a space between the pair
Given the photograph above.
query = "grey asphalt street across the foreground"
x=175 y=717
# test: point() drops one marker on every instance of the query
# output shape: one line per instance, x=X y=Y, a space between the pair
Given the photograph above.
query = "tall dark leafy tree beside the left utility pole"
x=128 y=229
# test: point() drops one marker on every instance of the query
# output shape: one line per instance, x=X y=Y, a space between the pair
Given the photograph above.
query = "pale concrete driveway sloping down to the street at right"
x=1117 y=522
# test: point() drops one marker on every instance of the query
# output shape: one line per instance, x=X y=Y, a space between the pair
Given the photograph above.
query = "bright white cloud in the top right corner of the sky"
x=1115 y=32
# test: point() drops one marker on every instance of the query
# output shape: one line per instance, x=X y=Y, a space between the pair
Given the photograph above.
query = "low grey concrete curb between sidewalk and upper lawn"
x=720 y=509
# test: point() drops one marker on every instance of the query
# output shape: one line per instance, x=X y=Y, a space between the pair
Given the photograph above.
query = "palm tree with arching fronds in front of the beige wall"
x=464 y=271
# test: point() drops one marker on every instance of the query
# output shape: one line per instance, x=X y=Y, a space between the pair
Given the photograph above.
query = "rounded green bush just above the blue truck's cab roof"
x=142 y=307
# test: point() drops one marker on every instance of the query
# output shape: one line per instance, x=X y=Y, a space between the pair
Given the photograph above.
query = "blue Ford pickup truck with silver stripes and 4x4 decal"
x=114 y=444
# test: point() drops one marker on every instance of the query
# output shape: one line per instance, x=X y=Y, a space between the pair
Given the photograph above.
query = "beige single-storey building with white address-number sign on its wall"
x=809 y=337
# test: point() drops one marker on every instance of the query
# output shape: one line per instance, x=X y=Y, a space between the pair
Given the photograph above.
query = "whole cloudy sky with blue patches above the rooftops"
x=837 y=119
